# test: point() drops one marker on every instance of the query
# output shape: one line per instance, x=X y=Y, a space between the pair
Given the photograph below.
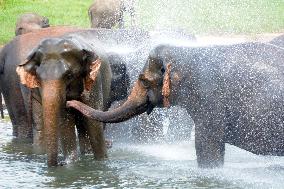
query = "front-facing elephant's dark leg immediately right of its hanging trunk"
x=68 y=137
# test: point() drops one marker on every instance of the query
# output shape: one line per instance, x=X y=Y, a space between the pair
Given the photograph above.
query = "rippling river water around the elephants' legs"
x=132 y=165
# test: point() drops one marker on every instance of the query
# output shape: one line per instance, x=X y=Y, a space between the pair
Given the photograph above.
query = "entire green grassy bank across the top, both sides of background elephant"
x=195 y=16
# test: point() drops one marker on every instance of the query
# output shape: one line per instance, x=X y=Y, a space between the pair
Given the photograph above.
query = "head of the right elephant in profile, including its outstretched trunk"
x=150 y=90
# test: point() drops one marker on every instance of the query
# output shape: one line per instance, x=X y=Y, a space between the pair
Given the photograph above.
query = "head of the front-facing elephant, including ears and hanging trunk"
x=61 y=69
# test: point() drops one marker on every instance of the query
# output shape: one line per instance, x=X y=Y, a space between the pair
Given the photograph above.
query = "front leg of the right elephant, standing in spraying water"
x=209 y=144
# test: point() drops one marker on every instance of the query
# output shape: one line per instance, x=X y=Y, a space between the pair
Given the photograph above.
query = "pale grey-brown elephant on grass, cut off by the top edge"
x=108 y=13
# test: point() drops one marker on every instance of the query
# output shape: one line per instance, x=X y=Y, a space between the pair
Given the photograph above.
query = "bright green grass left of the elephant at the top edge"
x=59 y=12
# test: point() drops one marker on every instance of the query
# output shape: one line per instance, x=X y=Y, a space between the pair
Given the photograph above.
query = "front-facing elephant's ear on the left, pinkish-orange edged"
x=26 y=72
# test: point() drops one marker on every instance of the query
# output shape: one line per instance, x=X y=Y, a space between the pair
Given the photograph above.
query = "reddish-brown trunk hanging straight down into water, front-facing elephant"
x=52 y=102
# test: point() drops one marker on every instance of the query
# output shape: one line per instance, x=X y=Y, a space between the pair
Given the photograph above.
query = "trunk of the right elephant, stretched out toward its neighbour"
x=136 y=104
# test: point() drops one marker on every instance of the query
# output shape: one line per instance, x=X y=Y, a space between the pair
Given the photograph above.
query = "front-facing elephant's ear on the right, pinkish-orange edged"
x=93 y=64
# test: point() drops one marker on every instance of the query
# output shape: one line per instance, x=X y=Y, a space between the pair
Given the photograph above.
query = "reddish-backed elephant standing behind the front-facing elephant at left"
x=12 y=54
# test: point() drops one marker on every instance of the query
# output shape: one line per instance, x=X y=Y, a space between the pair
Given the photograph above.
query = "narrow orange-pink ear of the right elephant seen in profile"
x=166 y=90
